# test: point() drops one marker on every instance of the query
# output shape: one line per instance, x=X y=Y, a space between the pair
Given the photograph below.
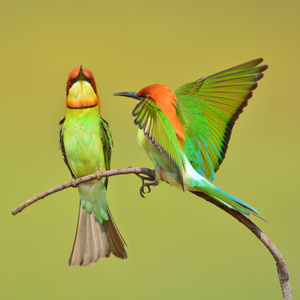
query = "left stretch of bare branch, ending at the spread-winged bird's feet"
x=75 y=182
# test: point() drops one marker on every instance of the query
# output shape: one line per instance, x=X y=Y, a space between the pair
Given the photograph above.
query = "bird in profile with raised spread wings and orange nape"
x=186 y=133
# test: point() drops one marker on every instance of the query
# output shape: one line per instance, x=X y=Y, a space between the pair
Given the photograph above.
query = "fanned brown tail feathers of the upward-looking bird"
x=94 y=241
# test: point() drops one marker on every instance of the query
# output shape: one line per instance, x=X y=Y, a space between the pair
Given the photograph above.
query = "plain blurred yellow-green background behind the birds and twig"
x=179 y=246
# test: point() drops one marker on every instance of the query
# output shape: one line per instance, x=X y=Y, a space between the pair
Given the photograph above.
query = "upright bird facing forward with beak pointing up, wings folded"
x=86 y=145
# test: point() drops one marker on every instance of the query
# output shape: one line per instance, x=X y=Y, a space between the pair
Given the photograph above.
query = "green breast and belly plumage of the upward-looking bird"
x=87 y=144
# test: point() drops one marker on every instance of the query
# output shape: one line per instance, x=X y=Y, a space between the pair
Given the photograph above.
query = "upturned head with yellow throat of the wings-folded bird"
x=81 y=89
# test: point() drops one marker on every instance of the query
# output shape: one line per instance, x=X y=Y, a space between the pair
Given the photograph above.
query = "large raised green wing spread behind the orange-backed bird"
x=208 y=109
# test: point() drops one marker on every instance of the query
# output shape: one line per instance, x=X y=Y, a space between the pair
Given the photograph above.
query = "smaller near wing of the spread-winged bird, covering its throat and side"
x=157 y=127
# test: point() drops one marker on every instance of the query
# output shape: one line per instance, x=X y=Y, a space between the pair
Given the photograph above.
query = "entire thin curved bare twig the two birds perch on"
x=282 y=269
